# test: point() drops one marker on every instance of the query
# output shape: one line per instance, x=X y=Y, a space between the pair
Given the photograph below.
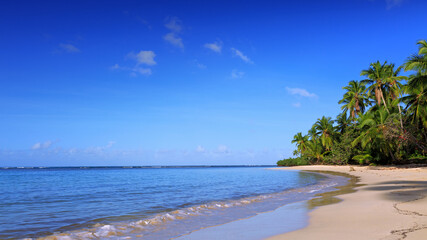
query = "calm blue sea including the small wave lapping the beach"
x=147 y=203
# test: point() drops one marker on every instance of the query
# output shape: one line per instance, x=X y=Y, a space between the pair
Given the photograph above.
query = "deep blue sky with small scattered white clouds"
x=183 y=82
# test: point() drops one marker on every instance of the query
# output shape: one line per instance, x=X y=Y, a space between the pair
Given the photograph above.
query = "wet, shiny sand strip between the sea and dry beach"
x=287 y=217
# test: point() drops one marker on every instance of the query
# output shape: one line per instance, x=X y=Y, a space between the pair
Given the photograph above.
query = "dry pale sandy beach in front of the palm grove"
x=390 y=204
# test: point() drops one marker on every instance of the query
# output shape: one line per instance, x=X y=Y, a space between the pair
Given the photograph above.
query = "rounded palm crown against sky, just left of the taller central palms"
x=355 y=99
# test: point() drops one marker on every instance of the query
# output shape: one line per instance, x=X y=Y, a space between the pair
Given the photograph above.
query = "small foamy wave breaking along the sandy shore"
x=142 y=227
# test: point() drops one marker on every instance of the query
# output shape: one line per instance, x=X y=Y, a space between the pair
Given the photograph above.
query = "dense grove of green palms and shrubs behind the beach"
x=383 y=119
